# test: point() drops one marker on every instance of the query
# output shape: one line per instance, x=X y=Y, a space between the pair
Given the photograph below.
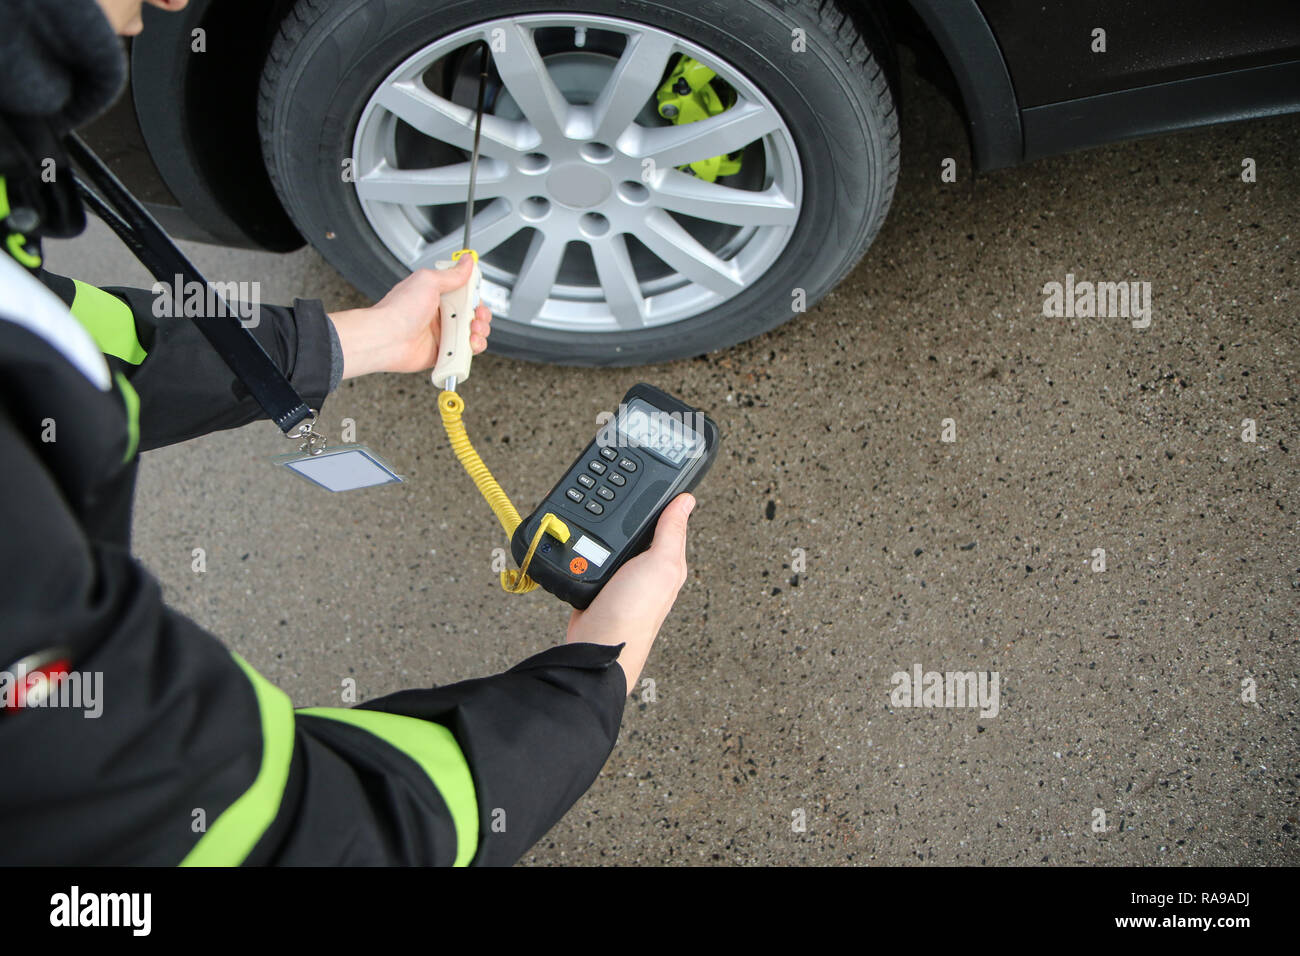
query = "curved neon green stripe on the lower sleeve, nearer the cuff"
x=432 y=747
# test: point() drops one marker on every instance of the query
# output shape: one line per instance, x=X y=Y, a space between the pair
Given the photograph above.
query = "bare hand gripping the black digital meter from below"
x=632 y=607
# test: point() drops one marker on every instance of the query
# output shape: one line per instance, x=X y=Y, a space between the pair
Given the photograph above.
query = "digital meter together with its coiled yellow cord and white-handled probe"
x=604 y=512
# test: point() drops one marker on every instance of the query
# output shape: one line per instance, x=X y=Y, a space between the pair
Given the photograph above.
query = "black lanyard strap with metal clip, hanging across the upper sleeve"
x=235 y=344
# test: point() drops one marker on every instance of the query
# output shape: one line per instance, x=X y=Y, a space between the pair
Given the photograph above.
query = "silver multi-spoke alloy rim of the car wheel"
x=584 y=223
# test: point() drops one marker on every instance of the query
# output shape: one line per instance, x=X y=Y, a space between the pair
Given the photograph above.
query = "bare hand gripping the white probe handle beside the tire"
x=400 y=334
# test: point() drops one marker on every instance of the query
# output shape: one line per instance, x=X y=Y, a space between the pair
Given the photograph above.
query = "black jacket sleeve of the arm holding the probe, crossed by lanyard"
x=185 y=388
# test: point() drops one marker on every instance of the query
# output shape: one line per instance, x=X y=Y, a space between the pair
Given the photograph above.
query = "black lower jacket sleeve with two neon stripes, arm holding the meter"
x=181 y=752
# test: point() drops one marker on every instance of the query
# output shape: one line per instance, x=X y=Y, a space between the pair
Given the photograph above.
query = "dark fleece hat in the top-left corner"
x=60 y=62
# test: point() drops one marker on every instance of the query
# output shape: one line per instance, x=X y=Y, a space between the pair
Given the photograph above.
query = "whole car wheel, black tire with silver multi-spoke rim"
x=657 y=180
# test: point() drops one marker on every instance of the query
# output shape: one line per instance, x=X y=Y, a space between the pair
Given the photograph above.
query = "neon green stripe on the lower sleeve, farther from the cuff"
x=233 y=836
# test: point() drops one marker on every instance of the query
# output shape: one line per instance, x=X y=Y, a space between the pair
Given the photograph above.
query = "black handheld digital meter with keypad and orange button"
x=651 y=452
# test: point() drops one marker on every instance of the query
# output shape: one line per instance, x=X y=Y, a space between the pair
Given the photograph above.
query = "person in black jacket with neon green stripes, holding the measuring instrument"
x=183 y=754
